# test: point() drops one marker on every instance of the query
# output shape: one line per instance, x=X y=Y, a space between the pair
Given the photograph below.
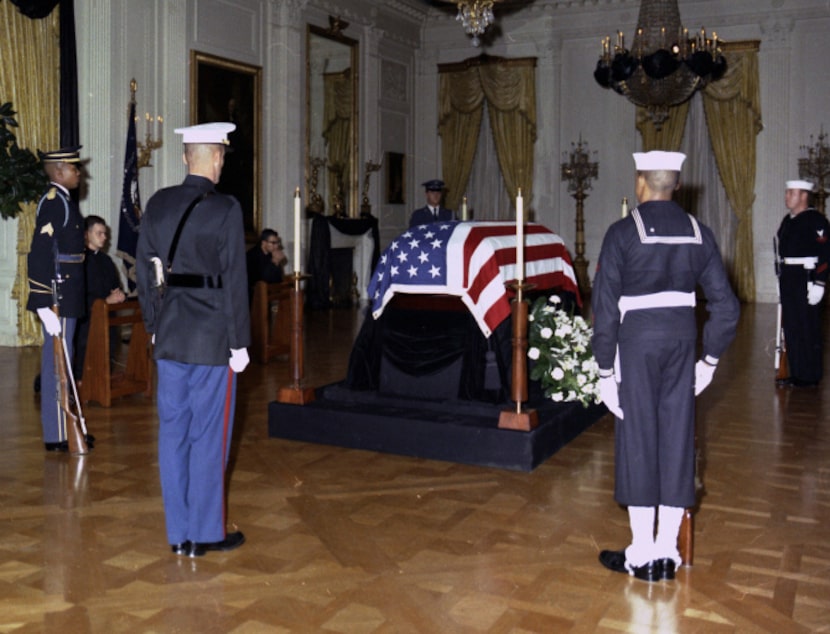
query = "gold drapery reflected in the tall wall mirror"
x=337 y=131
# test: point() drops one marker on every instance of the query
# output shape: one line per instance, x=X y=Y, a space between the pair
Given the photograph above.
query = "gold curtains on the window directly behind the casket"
x=509 y=88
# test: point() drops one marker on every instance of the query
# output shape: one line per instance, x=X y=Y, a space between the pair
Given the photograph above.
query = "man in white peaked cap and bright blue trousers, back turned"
x=194 y=237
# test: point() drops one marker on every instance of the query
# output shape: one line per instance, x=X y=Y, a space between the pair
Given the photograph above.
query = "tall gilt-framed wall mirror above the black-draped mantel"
x=331 y=121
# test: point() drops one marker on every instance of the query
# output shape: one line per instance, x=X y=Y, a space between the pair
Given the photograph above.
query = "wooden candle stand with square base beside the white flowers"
x=519 y=419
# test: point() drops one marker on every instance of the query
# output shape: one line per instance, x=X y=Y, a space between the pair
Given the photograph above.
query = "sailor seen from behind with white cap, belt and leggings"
x=643 y=304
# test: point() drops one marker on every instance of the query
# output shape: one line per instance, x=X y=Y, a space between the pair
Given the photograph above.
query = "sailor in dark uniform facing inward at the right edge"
x=802 y=265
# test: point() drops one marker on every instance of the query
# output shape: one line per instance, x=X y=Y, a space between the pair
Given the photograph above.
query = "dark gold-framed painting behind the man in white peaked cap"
x=226 y=90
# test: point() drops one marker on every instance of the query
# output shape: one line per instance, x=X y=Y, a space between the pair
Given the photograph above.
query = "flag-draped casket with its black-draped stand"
x=440 y=307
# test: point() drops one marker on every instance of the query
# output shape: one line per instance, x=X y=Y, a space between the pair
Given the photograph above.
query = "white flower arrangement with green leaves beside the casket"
x=560 y=347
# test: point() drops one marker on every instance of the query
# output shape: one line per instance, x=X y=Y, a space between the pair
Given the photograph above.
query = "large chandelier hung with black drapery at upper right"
x=665 y=65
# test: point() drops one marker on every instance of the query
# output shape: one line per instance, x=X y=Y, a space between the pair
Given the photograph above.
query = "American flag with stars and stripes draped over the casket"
x=473 y=261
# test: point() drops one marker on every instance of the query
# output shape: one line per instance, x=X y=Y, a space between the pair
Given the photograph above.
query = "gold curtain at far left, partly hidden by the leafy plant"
x=30 y=79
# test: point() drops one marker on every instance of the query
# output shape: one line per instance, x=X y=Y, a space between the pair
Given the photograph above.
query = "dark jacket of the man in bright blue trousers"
x=195 y=325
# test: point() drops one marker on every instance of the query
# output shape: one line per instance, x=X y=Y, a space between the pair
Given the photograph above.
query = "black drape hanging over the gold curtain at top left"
x=38 y=9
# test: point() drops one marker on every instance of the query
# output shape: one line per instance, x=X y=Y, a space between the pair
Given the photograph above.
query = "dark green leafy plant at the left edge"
x=22 y=179
